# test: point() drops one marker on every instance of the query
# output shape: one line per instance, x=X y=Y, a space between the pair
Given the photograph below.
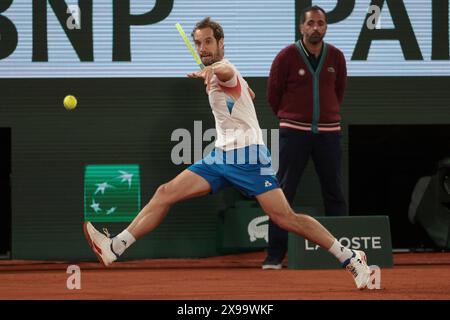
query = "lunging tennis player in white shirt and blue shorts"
x=240 y=159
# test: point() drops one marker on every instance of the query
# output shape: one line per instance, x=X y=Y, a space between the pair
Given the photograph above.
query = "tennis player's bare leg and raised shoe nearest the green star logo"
x=184 y=186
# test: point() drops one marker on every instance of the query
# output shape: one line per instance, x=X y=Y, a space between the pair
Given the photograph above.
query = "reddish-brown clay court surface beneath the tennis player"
x=421 y=276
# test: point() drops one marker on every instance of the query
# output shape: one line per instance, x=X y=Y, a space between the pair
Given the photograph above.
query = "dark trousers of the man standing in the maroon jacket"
x=296 y=147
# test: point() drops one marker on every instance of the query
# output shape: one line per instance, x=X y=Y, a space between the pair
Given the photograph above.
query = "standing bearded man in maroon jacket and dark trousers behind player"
x=305 y=90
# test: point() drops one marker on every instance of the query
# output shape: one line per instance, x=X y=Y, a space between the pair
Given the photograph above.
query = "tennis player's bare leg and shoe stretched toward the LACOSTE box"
x=274 y=203
